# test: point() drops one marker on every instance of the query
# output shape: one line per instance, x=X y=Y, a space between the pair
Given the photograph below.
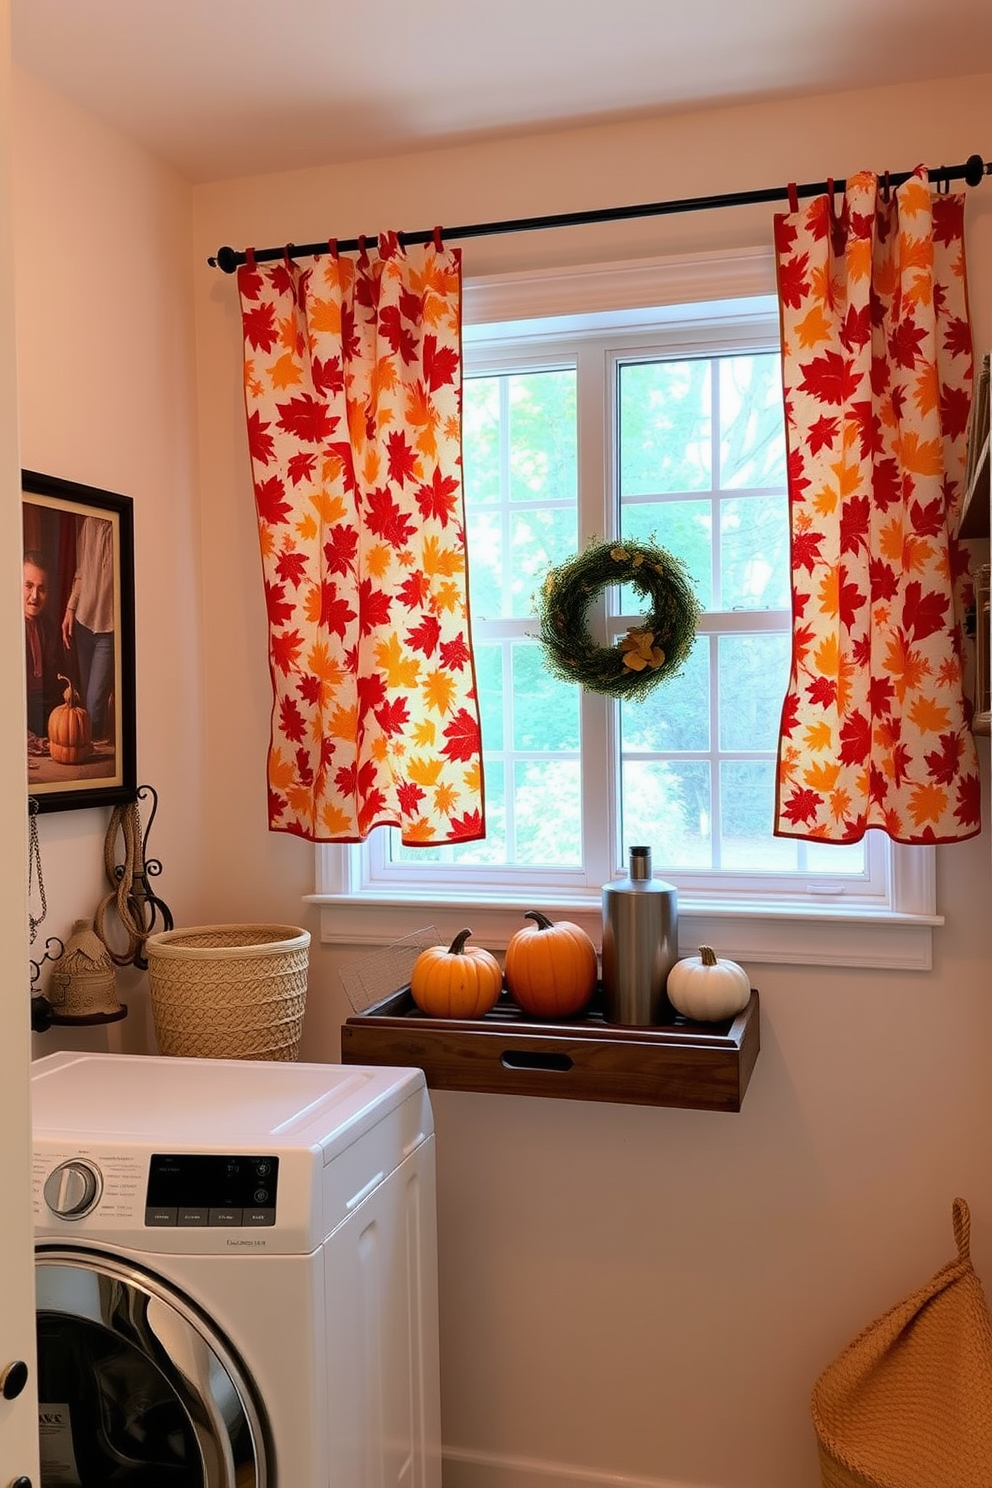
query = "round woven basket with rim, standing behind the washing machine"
x=230 y=992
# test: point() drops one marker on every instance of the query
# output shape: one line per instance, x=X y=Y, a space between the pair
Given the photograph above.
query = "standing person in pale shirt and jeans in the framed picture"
x=88 y=623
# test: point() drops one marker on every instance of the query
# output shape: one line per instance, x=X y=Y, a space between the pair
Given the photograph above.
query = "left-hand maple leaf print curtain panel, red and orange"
x=353 y=398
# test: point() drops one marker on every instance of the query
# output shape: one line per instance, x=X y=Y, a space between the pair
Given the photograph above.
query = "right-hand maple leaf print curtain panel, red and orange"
x=877 y=368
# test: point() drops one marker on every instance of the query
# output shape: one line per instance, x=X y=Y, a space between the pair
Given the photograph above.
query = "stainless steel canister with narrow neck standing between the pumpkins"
x=640 y=944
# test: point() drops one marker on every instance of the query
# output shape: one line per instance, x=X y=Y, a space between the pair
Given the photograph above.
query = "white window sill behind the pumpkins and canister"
x=788 y=935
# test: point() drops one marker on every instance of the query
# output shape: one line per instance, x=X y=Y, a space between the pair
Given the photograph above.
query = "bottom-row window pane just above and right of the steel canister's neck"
x=667 y=804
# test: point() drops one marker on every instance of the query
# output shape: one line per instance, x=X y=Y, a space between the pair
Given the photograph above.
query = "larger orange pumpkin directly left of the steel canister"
x=551 y=968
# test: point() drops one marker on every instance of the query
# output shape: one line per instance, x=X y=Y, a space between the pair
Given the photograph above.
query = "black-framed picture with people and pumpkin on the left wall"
x=80 y=644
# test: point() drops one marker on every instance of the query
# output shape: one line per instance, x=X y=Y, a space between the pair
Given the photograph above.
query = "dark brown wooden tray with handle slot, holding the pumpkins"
x=689 y=1065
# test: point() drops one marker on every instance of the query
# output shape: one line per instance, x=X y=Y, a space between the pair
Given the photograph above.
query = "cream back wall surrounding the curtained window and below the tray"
x=636 y=1295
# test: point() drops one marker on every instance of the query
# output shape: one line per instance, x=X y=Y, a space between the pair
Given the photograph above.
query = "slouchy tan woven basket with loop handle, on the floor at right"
x=909 y=1402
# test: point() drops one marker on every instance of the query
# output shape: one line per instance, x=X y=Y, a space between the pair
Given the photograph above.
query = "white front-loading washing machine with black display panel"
x=237 y=1274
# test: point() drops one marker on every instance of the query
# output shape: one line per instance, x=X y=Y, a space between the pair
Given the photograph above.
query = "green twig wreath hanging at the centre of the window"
x=651 y=652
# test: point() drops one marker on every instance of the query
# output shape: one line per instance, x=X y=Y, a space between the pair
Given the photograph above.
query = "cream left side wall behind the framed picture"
x=106 y=394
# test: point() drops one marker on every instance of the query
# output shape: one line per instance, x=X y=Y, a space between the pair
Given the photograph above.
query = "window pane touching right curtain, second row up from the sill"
x=753 y=672
